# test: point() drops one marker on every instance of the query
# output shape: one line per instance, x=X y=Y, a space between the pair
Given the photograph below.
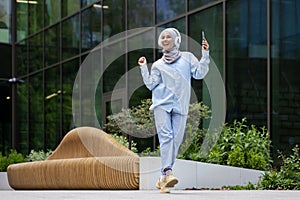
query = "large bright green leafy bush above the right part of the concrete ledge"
x=241 y=146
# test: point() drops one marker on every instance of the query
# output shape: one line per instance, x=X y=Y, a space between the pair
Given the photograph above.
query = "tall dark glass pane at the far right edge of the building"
x=285 y=51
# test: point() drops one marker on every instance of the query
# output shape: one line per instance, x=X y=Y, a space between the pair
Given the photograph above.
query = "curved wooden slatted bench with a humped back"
x=86 y=158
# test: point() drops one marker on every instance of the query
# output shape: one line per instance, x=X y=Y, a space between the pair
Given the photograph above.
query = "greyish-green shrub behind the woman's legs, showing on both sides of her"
x=139 y=122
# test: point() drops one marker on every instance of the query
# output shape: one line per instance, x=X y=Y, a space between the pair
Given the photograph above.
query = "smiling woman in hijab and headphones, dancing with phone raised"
x=170 y=83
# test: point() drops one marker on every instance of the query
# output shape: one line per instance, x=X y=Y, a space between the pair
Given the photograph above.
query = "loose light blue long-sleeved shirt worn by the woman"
x=171 y=83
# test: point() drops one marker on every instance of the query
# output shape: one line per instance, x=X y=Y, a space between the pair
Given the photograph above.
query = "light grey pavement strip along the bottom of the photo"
x=149 y=195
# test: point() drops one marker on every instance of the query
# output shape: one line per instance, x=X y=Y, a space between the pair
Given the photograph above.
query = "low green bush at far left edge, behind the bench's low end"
x=12 y=158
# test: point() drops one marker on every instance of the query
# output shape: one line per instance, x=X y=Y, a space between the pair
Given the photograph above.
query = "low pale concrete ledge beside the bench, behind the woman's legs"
x=196 y=174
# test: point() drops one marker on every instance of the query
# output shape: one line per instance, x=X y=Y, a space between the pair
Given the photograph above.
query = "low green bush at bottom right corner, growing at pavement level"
x=288 y=177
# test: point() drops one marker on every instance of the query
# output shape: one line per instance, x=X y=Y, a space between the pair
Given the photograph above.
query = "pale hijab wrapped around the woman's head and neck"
x=173 y=54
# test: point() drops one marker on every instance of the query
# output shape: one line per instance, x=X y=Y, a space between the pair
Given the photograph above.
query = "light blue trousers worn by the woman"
x=170 y=128
